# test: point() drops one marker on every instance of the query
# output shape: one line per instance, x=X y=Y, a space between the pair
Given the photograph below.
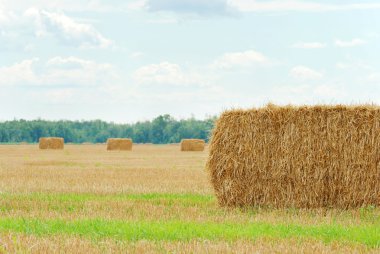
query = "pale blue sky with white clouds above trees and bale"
x=127 y=61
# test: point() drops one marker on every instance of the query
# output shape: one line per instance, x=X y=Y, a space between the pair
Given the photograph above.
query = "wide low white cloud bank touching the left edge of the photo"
x=58 y=71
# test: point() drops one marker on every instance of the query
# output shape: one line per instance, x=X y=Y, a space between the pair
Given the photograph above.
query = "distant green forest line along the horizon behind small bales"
x=161 y=130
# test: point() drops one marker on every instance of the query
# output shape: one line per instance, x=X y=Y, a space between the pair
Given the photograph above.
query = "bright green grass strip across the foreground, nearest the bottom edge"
x=186 y=231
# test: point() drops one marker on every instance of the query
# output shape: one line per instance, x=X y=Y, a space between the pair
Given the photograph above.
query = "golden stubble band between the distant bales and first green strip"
x=93 y=169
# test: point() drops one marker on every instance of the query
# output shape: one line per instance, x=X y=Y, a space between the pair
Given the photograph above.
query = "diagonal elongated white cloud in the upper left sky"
x=67 y=30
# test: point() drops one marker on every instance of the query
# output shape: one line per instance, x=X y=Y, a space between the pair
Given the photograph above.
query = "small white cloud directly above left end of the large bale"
x=240 y=59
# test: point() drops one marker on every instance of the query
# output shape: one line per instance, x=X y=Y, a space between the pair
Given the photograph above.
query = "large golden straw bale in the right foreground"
x=305 y=157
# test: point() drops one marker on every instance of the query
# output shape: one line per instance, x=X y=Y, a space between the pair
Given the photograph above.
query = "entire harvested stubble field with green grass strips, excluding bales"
x=153 y=199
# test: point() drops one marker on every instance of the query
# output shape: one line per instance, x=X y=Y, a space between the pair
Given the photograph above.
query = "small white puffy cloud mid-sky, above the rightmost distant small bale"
x=164 y=73
